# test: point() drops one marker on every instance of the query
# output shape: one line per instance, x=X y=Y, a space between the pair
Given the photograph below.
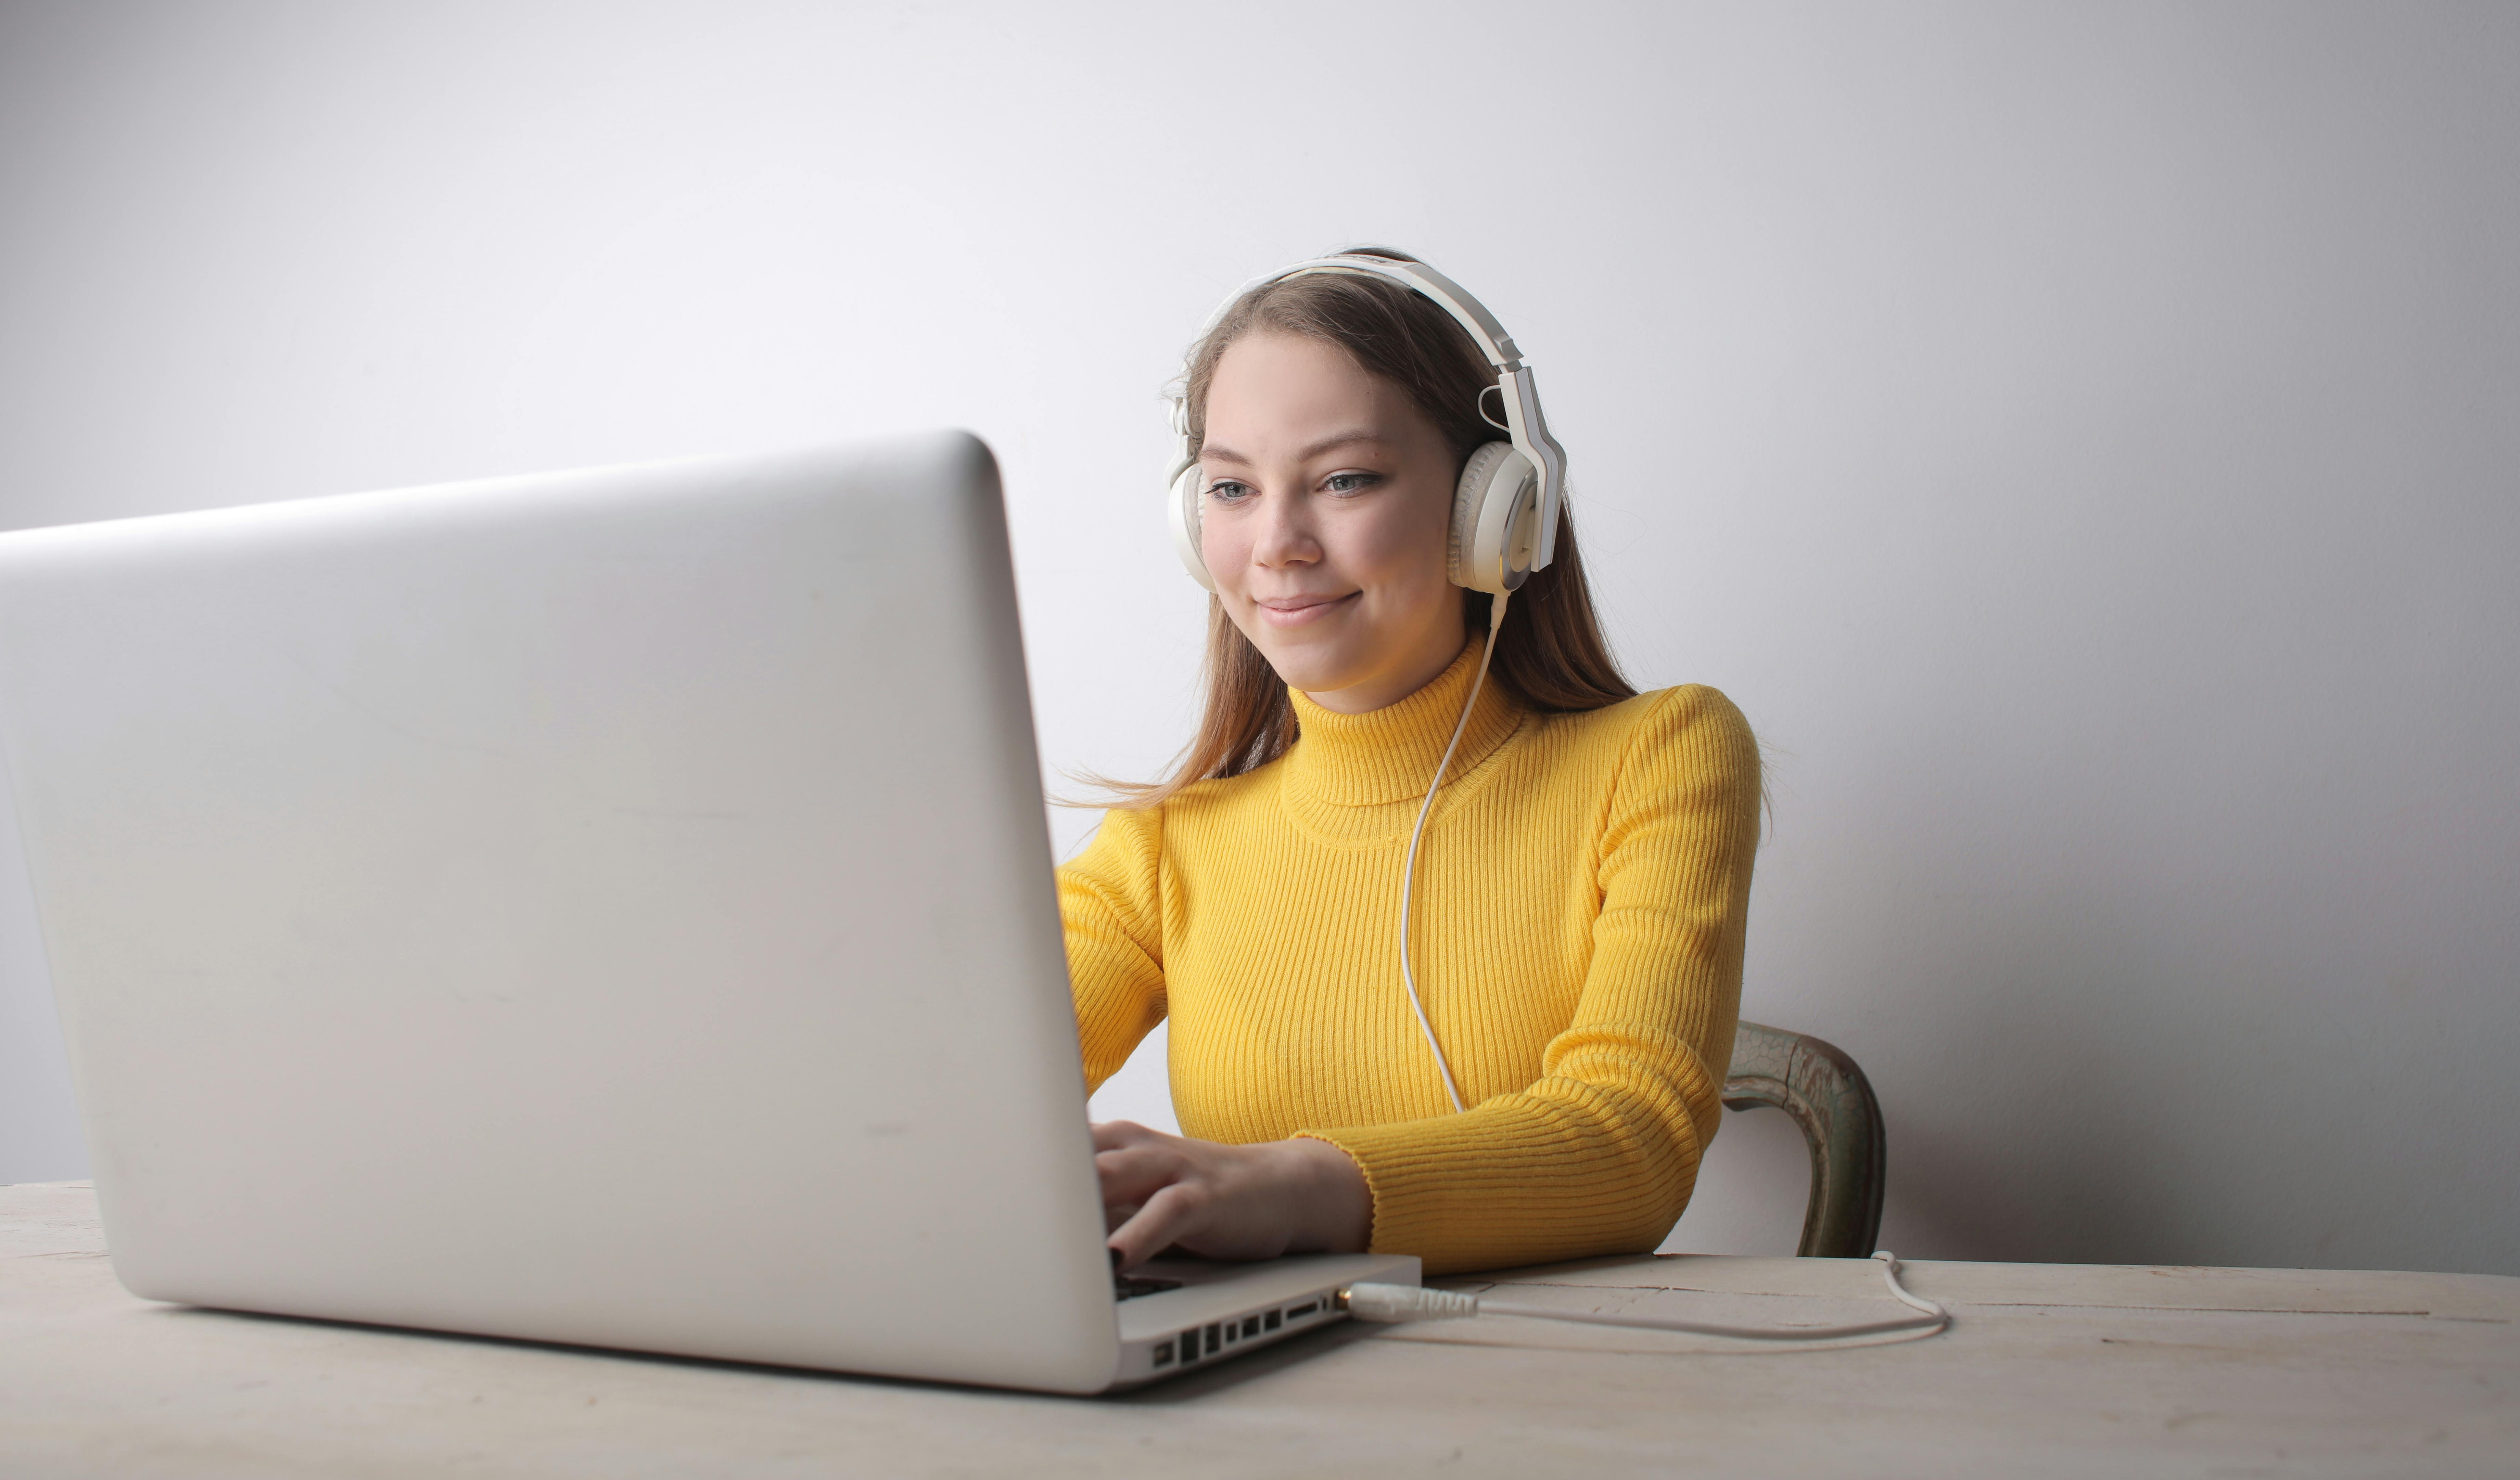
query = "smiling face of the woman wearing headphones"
x=1324 y=521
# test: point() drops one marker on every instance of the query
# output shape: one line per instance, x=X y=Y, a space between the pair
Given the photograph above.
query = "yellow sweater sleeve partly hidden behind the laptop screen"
x=1110 y=904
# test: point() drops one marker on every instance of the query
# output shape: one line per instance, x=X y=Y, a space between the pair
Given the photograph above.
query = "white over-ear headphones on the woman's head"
x=1506 y=506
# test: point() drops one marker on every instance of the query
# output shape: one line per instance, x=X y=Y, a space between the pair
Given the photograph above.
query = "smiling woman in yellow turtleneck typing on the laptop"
x=1576 y=904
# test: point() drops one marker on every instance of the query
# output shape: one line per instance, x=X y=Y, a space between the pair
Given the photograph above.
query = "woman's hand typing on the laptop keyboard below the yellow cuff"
x=1218 y=1201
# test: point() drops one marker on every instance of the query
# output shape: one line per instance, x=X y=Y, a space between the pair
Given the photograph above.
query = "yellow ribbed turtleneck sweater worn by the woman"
x=1579 y=949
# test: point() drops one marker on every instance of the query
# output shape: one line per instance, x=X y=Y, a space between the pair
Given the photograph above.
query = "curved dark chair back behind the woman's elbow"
x=1833 y=1103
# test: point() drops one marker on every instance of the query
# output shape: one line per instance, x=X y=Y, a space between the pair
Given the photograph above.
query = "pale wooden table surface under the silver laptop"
x=2050 y=1370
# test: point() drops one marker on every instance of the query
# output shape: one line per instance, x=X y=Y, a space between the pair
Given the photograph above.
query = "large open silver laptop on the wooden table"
x=601 y=909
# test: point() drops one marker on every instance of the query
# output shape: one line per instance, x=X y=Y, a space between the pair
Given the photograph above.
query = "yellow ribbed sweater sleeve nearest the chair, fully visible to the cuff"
x=1599 y=1156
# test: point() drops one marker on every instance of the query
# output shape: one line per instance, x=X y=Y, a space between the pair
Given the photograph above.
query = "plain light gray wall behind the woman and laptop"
x=2083 y=440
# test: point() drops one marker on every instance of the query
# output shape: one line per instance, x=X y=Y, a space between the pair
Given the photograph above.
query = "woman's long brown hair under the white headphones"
x=1551 y=654
